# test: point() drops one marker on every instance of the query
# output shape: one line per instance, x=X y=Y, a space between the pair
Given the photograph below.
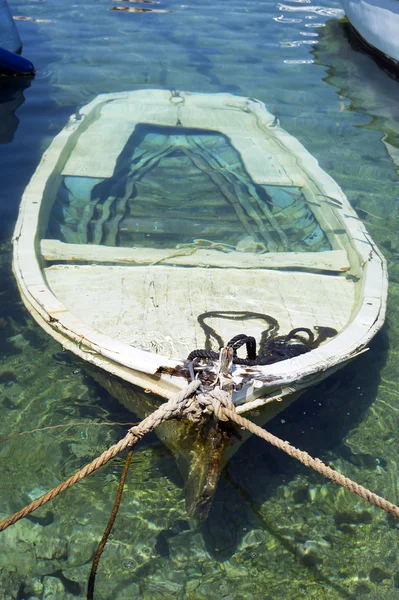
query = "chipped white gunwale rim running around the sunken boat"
x=128 y=362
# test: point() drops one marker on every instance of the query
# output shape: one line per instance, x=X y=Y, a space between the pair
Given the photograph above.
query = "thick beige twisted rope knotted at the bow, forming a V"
x=192 y=404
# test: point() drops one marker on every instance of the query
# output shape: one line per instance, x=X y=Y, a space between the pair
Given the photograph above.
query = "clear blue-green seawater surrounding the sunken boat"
x=276 y=529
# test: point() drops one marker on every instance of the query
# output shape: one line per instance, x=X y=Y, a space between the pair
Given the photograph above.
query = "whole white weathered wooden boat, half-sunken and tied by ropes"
x=160 y=222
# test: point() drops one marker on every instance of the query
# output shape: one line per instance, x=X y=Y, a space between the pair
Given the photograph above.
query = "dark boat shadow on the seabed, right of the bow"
x=318 y=423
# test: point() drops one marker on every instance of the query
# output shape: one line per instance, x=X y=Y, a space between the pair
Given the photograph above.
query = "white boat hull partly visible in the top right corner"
x=377 y=23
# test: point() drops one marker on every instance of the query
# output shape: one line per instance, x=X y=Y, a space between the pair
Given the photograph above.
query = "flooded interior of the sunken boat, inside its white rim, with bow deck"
x=186 y=236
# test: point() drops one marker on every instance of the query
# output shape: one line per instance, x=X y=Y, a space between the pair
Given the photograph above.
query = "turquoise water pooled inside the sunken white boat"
x=178 y=199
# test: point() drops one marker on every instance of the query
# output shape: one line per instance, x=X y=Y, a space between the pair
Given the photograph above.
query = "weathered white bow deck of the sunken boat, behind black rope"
x=156 y=308
